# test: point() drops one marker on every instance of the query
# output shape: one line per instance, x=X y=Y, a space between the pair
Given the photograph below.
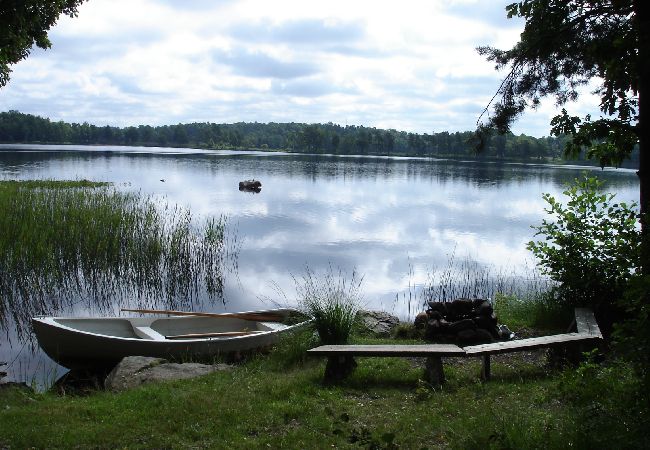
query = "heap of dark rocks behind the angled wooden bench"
x=464 y=321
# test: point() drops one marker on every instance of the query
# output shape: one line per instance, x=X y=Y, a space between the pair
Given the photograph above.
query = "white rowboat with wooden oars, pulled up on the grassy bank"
x=90 y=342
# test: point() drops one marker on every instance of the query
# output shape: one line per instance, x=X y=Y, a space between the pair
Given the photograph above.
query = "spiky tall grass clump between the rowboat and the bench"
x=332 y=301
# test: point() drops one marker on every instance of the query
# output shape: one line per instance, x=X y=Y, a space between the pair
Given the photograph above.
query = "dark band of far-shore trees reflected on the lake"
x=324 y=167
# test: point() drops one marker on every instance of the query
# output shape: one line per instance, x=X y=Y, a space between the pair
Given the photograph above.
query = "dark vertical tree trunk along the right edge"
x=642 y=12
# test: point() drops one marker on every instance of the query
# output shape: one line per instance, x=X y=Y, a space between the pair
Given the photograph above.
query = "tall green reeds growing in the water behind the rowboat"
x=67 y=246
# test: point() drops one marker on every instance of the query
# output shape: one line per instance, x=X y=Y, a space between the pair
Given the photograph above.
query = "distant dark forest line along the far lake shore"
x=16 y=127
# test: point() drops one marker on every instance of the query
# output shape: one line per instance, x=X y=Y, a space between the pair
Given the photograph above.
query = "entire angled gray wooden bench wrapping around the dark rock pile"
x=340 y=357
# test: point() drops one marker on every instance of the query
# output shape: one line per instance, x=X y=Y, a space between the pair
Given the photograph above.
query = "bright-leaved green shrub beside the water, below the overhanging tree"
x=590 y=247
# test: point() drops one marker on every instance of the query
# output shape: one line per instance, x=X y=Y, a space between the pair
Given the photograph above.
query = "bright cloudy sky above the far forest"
x=409 y=64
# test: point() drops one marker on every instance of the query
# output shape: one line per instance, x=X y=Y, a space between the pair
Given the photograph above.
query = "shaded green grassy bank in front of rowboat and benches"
x=279 y=402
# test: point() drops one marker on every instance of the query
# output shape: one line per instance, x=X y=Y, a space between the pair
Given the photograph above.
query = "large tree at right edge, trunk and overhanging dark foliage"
x=567 y=44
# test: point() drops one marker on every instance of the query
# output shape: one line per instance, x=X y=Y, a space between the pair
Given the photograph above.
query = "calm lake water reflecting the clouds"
x=393 y=220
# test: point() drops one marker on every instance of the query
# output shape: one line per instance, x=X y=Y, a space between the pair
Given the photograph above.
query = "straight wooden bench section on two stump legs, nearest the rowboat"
x=340 y=360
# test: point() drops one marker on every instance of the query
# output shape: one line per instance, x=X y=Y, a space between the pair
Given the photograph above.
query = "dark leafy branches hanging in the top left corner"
x=24 y=23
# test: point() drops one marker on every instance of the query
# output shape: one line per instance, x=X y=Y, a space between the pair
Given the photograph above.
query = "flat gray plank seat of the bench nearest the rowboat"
x=389 y=350
